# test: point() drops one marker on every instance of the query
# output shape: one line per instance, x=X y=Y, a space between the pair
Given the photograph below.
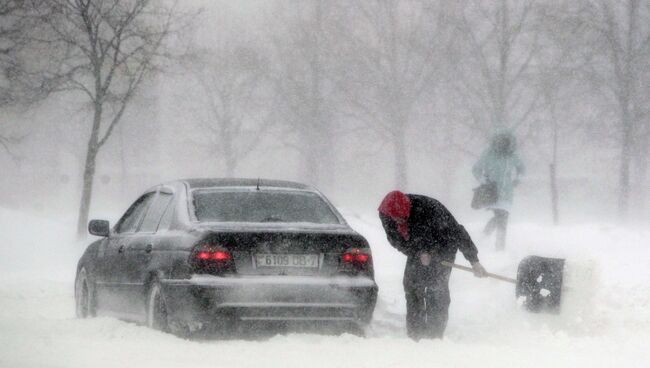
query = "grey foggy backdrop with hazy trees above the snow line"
x=355 y=98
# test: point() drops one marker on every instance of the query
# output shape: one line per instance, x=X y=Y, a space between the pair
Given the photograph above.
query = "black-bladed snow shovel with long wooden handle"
x=538 y=283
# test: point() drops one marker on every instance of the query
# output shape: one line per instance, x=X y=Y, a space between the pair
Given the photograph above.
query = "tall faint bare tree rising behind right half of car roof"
x=302 y=77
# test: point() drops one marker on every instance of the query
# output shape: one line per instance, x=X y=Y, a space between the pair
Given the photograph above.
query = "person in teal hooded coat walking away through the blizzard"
x=501 y=166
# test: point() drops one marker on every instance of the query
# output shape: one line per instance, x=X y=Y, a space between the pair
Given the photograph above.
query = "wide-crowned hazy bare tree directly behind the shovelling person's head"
x=392 y=52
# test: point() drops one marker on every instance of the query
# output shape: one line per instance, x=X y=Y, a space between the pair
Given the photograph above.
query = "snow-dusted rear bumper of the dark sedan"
x=206 y=299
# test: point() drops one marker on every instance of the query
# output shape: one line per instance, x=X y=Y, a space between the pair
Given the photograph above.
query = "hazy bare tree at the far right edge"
x=618 y=36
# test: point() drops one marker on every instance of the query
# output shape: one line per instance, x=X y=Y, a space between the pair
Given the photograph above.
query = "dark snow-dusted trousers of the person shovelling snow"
x=427 y=305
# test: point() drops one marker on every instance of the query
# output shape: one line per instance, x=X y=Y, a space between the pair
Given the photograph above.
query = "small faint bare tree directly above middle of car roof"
x=234 y=93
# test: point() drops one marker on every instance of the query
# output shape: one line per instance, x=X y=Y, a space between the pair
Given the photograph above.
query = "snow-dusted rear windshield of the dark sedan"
x=262 y=206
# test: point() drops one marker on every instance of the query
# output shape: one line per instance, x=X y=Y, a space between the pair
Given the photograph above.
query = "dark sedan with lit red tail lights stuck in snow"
x=204 y=254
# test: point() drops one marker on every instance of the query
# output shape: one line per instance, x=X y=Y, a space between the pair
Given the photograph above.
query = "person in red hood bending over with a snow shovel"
x=427 y=233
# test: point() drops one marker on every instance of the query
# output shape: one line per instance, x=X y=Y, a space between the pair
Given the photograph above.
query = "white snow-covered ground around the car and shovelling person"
x=605 y=320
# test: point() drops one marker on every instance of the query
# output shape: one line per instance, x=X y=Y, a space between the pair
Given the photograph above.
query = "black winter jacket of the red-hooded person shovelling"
x=432 y=229
